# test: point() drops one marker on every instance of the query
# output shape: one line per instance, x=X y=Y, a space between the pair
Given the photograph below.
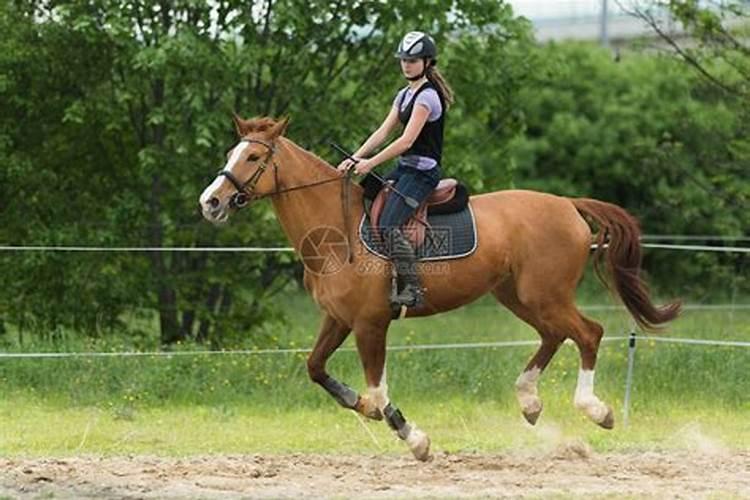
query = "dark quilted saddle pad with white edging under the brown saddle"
x=450 y=236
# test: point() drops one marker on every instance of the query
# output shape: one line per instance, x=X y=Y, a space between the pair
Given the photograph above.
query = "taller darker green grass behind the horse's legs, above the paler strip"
x=702 y=374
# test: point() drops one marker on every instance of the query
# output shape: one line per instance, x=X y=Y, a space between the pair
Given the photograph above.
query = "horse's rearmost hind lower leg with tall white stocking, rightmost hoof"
x=587 y=336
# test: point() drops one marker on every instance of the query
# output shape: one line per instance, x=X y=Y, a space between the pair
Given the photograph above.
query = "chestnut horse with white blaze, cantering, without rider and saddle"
x=531 y=253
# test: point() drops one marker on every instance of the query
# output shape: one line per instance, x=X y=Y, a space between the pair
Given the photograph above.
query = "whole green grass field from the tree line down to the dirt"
x=684 y=396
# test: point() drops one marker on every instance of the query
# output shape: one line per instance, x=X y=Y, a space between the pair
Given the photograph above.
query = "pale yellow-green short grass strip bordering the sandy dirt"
x=32 y=428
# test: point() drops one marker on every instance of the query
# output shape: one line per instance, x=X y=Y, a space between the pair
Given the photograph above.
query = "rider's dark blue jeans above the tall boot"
x=417 y=184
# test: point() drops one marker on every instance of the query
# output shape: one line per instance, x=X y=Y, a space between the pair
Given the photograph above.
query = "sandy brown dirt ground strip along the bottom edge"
x=571 y=470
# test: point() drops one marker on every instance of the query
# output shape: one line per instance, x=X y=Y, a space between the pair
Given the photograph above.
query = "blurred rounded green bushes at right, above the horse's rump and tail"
x=648 y=134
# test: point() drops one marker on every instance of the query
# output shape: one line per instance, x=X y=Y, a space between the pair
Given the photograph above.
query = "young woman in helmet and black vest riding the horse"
x=420 y=107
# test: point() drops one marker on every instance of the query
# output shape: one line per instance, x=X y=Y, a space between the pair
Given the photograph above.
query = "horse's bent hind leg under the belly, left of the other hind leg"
x=526 y=384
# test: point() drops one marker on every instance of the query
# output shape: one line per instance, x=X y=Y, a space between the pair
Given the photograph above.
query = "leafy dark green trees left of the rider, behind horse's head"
x=117 y=114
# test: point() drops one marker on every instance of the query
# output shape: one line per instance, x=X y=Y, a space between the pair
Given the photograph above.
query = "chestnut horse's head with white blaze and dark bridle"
x=242 y=177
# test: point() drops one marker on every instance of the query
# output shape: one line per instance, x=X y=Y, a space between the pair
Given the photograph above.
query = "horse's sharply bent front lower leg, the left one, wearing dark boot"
x=332 y=335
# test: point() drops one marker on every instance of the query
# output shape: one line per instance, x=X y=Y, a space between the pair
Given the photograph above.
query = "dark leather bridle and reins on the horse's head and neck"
x=246 y=191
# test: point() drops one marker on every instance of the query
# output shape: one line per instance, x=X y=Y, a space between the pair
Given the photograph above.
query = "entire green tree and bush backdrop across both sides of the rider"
x=115 y=115
